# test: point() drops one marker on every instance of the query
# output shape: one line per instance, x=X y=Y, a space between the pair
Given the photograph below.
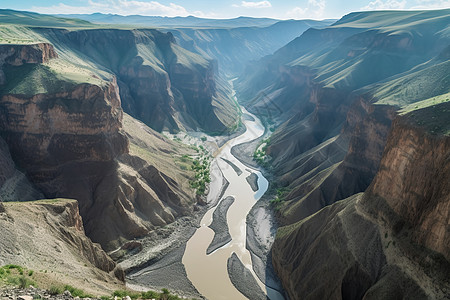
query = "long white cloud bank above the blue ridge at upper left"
x=122 y=7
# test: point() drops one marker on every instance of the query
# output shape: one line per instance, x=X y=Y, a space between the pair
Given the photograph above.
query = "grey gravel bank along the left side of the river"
x=159 y=263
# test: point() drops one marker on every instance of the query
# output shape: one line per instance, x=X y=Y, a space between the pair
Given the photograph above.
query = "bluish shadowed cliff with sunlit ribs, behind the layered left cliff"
x=161 y=84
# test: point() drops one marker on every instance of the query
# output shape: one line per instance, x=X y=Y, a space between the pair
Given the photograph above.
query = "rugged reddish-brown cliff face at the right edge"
x=413 y=182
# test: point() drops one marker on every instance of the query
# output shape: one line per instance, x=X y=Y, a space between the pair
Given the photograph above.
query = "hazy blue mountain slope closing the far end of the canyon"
x=234 y=48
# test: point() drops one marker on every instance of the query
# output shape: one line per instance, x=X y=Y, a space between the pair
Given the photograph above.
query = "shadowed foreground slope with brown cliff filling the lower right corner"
x=390 y=242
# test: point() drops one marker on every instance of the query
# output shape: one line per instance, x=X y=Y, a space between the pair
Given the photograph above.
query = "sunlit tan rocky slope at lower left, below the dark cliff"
x=49 y=235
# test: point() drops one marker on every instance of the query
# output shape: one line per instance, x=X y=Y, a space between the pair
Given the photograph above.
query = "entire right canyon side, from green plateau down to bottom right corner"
x=370 y=114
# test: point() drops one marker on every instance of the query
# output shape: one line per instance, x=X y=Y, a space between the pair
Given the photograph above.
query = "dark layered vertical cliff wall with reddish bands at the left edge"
x=38 y=128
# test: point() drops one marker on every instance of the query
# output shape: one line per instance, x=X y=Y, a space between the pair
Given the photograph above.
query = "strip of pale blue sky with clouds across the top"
x=282 y=9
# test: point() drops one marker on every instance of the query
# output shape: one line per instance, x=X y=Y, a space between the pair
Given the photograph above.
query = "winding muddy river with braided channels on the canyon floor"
x=209 y=273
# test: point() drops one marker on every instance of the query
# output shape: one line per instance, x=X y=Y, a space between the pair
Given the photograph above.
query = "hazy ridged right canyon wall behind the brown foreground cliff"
x=334 y=93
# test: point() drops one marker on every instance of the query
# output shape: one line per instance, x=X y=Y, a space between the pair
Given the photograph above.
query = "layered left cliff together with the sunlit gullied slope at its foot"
x=70 y=142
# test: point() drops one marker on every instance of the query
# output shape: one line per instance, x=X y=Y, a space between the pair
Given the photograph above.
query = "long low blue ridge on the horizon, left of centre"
x=171 y=22
